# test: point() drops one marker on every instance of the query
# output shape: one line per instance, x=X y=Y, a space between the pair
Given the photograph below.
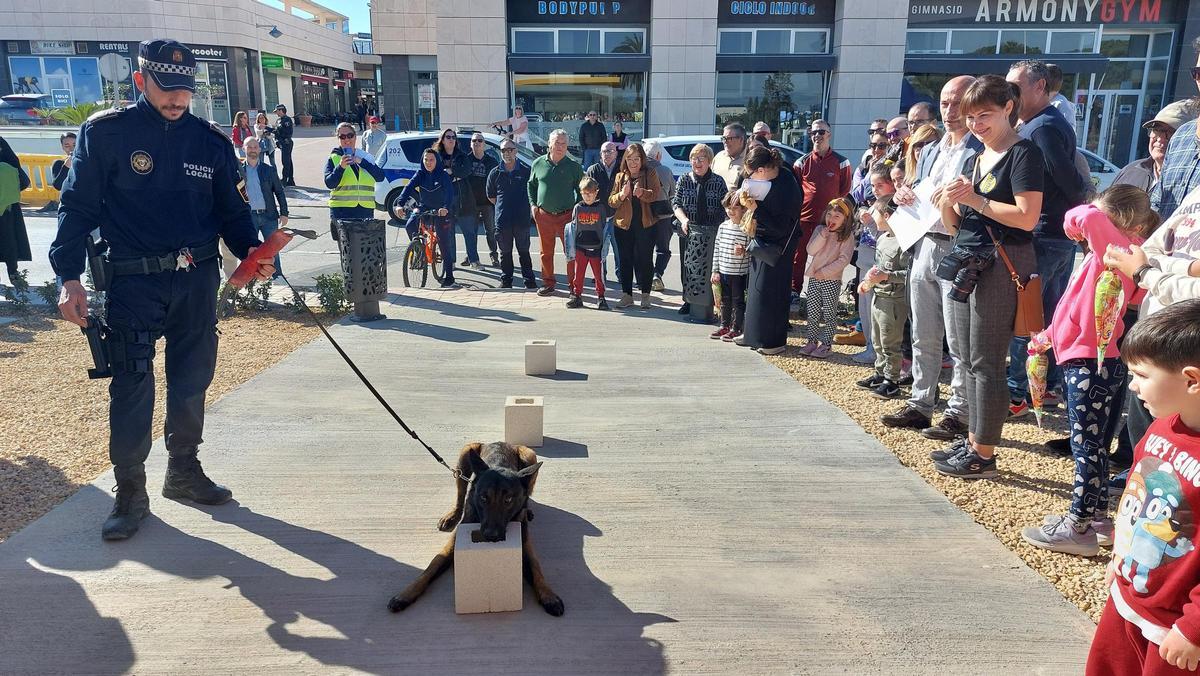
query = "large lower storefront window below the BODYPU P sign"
x=562 y=100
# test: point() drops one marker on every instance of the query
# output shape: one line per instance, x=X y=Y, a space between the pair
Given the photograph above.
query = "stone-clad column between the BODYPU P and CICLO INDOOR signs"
x=682 y=93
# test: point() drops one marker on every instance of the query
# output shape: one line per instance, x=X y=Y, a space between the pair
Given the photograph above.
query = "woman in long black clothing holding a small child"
x=770 y=289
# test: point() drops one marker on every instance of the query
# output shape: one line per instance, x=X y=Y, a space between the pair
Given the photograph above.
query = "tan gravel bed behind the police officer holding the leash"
x=55 y=420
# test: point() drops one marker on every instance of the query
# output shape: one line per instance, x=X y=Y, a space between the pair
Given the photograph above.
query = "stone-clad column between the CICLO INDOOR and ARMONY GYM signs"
x=866 y=83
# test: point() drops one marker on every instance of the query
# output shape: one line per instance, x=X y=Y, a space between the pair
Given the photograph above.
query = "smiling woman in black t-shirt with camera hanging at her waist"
x=995 y=205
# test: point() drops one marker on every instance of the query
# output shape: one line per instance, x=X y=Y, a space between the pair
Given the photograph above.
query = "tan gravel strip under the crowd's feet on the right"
x=1033 y=482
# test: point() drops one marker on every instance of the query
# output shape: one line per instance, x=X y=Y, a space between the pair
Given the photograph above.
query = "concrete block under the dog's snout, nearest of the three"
x=488 y=576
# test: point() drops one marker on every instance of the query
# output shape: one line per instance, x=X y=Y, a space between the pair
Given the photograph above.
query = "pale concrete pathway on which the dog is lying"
x=699 y=512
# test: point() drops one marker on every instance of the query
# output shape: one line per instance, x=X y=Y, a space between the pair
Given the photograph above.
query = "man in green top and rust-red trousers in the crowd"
x=554 y=192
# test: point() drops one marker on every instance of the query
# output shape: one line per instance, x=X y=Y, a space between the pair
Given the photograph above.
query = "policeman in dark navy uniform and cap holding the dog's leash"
x=161 y=186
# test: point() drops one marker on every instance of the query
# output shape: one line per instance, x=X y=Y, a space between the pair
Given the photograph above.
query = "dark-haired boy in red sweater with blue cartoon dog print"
x=1151 y=624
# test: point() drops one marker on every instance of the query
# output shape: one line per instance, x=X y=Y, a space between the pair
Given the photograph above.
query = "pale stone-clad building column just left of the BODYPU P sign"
x=473 y=80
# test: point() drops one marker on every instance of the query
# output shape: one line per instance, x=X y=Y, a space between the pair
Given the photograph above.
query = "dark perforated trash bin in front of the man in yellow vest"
x=362 y=246
